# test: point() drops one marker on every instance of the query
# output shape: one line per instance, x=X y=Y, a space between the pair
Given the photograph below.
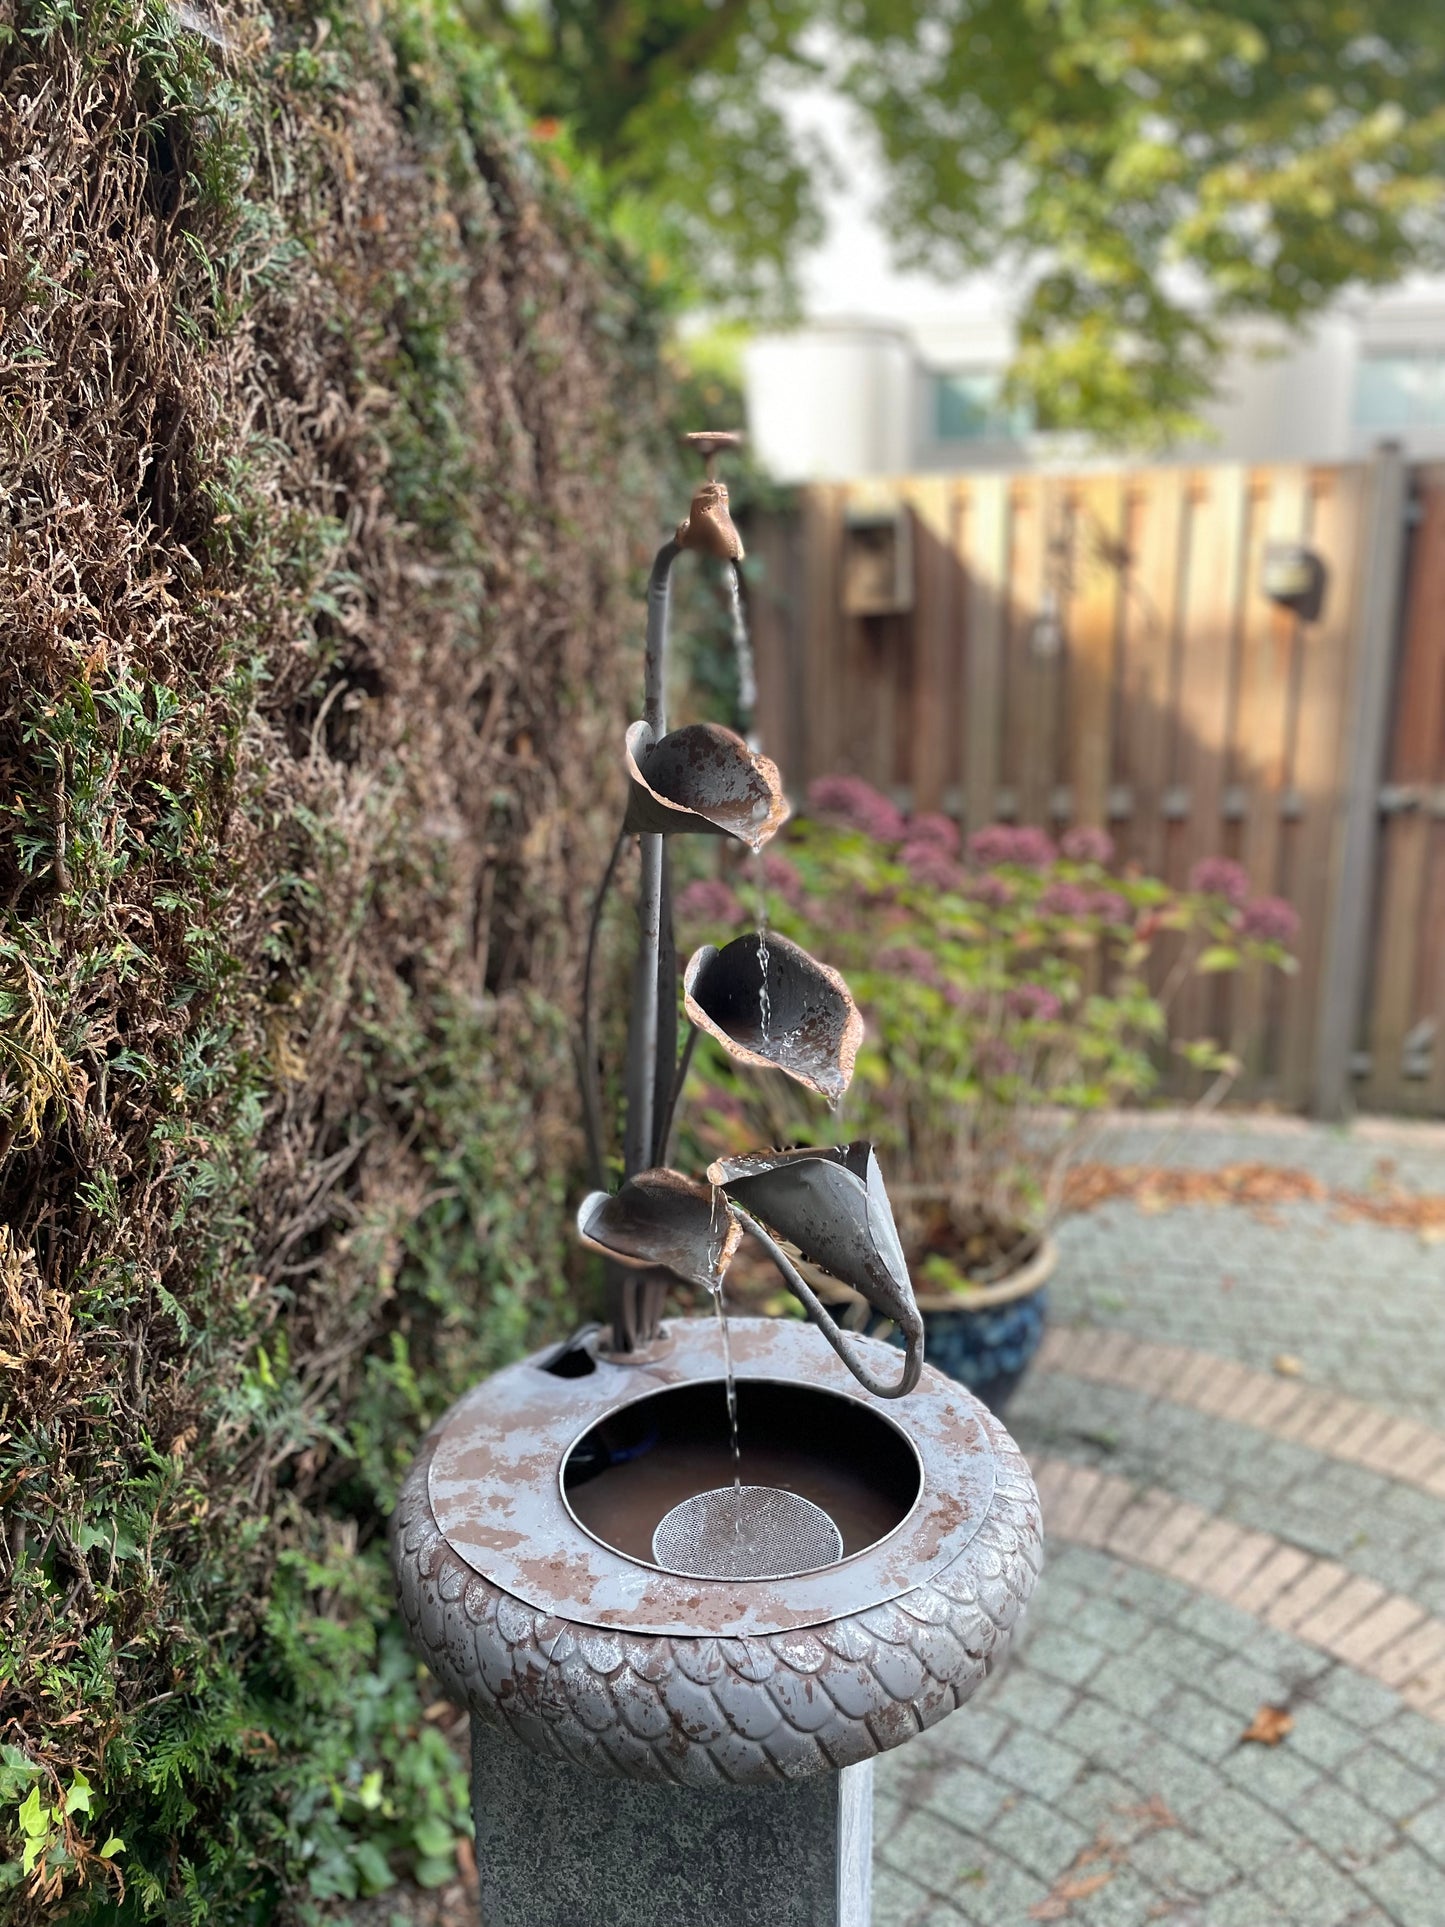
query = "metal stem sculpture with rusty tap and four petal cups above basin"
x=766 y=1001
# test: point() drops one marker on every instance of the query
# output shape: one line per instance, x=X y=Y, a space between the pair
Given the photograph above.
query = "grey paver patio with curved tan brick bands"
x=1221 y=1539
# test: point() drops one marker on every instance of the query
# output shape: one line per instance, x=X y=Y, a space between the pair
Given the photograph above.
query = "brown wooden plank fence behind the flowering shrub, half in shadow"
x=1101 y=650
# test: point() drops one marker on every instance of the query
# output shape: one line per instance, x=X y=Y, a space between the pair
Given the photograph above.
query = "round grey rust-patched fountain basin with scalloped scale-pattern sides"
x=587 y=1652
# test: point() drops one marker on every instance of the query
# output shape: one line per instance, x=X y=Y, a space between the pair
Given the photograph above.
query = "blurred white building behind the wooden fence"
x=845 y=398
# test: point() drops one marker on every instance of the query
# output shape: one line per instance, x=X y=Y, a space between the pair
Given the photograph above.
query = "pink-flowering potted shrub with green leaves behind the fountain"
x=1014 y=990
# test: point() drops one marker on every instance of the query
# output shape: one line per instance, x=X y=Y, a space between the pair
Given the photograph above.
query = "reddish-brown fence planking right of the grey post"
x=1402 y=991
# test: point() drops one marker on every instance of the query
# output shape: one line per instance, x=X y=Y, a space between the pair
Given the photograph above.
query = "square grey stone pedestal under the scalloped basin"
x=560 y=1847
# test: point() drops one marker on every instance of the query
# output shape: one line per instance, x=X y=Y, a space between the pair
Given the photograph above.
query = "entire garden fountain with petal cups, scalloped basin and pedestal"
x=691 y=1577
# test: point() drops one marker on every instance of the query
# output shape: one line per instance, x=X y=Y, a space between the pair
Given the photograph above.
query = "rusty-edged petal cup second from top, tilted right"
x=802 y=1020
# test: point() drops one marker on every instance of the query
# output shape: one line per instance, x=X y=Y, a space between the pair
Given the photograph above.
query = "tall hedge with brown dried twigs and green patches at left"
x=327 y=435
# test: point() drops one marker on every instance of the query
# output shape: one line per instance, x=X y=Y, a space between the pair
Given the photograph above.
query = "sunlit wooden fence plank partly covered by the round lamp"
x=1261 y=758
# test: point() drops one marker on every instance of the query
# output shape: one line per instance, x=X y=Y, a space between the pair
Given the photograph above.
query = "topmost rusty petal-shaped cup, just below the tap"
x=702 y=779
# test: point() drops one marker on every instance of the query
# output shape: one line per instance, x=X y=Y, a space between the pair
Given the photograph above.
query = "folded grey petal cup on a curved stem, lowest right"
x=831 y=1205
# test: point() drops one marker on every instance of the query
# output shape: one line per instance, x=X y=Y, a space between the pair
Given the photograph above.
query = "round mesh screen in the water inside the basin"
x=747 y=1533
